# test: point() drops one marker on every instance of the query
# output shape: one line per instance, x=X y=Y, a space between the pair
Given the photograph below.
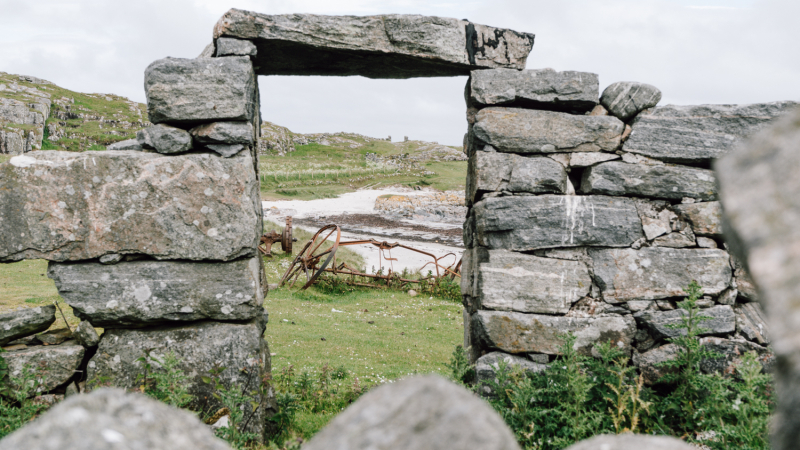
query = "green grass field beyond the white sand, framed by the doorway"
x=325 y=171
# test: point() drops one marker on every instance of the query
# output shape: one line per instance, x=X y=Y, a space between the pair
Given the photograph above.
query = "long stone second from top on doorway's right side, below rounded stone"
x=517 y=130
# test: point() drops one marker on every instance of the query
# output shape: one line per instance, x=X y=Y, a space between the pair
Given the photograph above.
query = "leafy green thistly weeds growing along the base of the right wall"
x=580 y=396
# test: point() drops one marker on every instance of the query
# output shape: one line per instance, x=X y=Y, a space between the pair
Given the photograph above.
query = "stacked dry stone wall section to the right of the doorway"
x=589 y=214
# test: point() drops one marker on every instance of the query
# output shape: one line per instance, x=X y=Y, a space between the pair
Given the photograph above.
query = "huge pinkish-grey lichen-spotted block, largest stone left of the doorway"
x=65 y=206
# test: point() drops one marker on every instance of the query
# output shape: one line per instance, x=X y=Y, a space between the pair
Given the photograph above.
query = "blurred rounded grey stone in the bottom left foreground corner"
x=114 y=419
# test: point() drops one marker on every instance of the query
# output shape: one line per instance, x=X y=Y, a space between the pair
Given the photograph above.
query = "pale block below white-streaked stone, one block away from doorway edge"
x=657 y=272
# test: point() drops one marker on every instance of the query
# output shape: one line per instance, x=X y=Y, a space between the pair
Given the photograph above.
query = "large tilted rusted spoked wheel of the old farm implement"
x=314 y=257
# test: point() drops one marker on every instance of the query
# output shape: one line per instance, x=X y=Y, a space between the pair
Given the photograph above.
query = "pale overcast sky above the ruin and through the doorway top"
x=695 y=51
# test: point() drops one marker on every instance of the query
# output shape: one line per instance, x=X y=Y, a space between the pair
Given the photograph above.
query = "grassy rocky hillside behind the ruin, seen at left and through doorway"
x=292 y=165
